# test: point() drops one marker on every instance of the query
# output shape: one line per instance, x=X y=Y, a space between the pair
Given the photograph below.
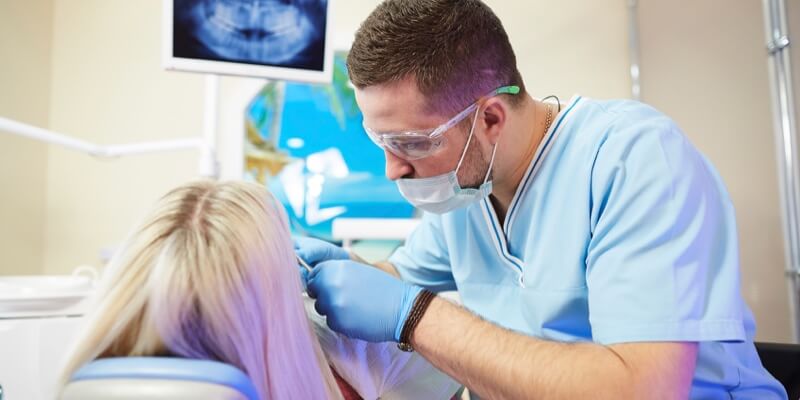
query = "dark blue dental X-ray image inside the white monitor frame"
x=279 y=33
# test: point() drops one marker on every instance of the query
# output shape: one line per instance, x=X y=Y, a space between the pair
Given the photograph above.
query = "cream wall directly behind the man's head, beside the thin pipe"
x=563 y=47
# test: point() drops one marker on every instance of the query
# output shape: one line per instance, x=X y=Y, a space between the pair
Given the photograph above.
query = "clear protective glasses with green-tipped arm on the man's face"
x=414 y=145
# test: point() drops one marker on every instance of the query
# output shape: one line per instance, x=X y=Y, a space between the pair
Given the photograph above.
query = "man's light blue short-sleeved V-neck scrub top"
x=620 y=231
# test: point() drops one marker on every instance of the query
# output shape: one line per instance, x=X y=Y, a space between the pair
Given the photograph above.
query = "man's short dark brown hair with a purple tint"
x=456 y=50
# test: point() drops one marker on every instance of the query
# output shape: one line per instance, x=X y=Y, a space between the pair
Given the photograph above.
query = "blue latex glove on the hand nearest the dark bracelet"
x=361 y=301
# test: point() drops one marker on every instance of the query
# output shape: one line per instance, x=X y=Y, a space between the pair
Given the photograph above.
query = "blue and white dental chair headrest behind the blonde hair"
x=158 y=378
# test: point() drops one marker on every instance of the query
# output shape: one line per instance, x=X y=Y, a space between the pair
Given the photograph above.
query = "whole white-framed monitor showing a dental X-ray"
x=274 y=39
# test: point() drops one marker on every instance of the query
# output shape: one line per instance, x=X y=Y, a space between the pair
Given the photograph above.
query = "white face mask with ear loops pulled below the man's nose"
x=442 y=193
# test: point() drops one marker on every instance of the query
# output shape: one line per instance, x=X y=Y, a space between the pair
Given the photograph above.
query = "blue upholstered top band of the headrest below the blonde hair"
x=166 y=369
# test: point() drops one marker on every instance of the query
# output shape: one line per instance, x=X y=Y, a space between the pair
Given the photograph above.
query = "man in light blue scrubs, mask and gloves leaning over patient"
x=593 y=247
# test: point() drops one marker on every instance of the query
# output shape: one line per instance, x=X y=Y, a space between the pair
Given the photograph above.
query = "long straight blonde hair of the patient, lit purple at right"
x=211 y=274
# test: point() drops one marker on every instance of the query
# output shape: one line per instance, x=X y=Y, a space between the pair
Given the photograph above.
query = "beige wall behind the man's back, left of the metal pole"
x=704 y=63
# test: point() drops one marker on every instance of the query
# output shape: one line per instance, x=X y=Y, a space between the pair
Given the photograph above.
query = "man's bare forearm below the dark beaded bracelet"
x=500 y=364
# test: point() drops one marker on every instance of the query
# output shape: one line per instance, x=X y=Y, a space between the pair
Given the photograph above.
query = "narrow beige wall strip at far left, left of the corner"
x=25 y=39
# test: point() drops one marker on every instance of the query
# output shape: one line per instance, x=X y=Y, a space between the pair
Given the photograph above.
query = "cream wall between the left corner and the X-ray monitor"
x=108 y=87
